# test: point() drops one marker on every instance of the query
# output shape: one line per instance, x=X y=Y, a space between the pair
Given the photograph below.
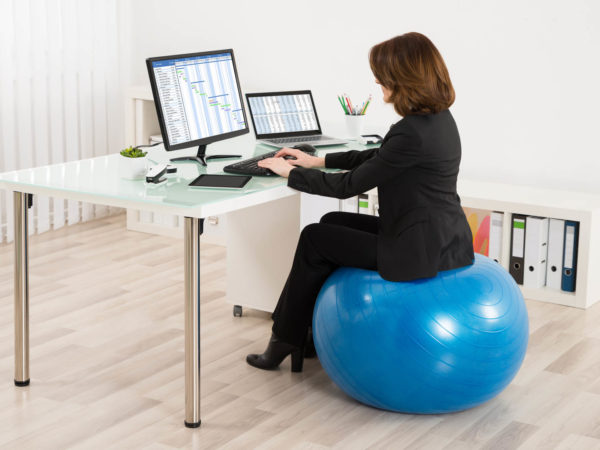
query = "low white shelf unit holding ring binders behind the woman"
x=558 y=204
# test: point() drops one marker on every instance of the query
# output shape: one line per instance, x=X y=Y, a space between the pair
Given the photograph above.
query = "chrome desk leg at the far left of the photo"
x=21 y=272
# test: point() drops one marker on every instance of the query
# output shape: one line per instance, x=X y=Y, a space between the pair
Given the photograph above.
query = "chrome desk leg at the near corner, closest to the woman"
x=192 y=231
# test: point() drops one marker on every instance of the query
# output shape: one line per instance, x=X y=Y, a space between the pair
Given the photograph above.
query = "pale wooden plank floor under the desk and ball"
x=107 y=365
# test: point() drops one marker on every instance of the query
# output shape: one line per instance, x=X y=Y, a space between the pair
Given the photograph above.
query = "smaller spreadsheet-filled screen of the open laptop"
x=277 y=114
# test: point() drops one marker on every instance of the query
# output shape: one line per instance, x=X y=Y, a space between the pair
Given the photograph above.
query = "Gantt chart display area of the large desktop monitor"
x=199 y=97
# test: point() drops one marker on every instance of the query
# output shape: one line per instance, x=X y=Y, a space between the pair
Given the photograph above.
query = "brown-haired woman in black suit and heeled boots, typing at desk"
x=421 y=228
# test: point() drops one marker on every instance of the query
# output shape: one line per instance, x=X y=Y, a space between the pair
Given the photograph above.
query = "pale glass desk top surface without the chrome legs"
x=97 y=180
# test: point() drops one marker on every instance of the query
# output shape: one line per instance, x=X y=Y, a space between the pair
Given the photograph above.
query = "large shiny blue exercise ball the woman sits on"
x=428 y=346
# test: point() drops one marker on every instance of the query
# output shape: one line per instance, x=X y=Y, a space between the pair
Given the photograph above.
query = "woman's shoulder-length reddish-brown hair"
x=414 y=71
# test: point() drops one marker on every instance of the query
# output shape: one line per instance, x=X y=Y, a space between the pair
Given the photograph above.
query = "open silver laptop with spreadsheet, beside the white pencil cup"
x=285 y=119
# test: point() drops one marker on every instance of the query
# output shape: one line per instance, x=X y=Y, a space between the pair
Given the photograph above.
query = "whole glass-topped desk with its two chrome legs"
x=97 y=180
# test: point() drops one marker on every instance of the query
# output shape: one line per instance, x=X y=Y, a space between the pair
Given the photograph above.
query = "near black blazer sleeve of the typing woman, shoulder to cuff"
x=400 y=152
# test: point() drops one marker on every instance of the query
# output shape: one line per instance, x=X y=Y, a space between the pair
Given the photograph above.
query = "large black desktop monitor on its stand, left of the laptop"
x=198 y=101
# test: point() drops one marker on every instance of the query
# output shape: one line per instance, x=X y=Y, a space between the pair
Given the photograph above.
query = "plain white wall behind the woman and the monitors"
x=526 y=73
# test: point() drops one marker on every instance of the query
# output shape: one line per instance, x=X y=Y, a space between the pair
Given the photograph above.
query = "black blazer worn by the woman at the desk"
x=422 y=227
